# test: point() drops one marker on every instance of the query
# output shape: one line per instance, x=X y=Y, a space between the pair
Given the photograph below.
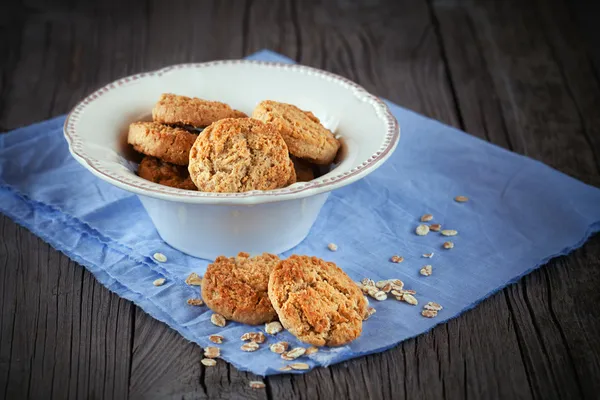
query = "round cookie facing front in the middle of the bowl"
x=238 y=155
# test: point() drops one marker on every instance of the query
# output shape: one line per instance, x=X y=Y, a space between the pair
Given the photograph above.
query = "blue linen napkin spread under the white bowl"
x=520 y=214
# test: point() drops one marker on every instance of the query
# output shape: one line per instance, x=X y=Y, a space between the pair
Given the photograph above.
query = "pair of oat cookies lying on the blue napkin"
x=313 y=299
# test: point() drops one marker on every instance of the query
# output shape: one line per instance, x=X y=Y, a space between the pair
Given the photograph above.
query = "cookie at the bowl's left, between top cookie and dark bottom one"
x=167 y=143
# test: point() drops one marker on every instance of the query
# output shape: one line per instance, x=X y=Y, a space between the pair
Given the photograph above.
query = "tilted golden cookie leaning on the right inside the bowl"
x=301 y=130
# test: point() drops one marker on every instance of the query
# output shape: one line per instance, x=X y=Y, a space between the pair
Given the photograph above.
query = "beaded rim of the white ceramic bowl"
x=296 y=191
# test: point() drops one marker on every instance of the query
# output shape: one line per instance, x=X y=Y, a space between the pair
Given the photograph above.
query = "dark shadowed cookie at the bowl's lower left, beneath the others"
x=162 y=172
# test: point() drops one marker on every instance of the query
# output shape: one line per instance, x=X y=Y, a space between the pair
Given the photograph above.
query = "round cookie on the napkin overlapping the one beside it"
x=316 y=301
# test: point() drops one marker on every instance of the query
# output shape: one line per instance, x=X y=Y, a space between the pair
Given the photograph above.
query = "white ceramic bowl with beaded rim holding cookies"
x=210 y=224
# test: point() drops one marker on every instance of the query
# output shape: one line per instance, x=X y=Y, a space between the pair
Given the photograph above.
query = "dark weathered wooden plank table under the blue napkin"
x=516 y=73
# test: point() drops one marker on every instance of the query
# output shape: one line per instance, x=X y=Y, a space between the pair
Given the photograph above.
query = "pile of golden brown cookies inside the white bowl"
x=206 y=145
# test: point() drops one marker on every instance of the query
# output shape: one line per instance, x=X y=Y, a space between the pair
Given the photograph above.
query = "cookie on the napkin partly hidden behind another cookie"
x=236 y=288
